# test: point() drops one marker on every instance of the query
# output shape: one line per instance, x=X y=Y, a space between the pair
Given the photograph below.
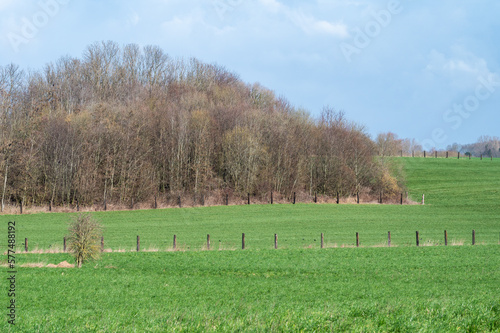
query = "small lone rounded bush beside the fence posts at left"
x=83 y=239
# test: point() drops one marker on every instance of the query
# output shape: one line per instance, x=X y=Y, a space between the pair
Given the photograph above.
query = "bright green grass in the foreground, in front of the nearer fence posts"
x=371 y=289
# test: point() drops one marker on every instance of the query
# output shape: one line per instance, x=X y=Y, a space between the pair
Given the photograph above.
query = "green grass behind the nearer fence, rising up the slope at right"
x=461 y=195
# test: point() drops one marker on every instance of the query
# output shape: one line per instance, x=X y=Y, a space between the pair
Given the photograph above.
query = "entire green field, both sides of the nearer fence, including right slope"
x=298 y=287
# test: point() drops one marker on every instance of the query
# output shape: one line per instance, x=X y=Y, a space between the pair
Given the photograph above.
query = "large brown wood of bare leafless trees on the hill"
x=128 y=123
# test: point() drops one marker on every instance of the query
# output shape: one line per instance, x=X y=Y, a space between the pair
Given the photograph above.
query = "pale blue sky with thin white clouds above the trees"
x=427 y=70
